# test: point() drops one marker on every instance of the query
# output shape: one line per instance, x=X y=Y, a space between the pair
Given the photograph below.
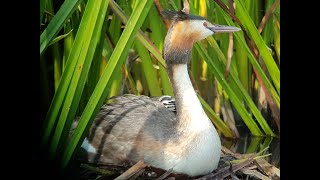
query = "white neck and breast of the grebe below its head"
x=203 y=150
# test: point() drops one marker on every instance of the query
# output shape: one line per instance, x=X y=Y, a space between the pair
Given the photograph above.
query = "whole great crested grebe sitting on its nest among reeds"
x=134 y=128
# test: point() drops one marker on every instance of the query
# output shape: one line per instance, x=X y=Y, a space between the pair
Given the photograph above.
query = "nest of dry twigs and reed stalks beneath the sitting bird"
x=231 y=166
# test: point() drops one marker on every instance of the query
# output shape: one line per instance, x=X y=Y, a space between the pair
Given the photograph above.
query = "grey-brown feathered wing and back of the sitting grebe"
x=103 y=133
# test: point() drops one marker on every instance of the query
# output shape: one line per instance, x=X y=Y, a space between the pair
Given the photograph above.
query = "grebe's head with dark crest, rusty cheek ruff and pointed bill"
x=184 y=31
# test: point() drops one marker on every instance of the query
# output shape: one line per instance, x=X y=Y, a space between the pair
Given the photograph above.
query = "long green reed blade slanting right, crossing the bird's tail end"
x=121 y=49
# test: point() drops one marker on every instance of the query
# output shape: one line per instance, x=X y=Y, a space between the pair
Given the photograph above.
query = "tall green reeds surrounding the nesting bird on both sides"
x=90 y=52
